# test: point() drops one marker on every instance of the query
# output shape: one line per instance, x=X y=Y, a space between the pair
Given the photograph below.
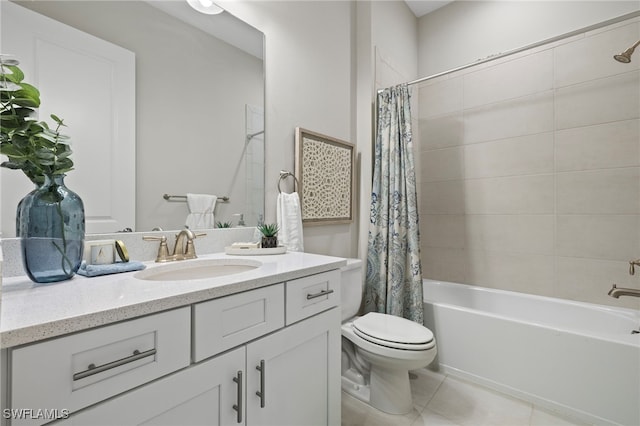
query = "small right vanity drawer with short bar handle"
x=311 y=295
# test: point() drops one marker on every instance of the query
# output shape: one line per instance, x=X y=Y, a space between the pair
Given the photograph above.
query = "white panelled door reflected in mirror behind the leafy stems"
x=90 y=83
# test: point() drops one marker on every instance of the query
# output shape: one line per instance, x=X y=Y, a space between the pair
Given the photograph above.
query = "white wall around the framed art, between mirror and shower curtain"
x=318 y=79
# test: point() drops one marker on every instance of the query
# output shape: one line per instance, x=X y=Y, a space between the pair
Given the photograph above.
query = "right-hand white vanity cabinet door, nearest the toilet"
x=297 y=372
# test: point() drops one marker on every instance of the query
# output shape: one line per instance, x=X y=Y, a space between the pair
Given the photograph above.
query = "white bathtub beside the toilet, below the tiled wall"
x=578 y=359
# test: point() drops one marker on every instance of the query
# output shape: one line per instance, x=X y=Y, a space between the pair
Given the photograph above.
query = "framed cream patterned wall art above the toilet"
x=324 y=167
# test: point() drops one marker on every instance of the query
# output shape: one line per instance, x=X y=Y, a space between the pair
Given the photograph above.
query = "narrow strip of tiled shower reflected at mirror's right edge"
x=254 y=163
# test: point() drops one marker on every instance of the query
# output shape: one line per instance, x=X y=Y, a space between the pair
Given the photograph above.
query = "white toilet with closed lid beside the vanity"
x=378 y=350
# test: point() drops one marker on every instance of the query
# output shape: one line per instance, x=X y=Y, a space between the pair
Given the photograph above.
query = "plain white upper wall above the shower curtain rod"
x=465 y=31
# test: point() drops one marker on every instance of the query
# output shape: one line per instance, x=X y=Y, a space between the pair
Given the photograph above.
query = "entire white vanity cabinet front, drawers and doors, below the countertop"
x=266 y=356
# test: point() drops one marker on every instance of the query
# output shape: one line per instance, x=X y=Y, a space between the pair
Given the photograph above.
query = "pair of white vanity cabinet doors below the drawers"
x=298 y=383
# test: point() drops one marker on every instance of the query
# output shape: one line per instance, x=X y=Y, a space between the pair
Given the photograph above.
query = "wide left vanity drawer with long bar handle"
x=78 y=370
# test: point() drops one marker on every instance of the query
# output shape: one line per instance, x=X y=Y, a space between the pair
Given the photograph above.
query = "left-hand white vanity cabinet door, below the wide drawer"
x=205 y=394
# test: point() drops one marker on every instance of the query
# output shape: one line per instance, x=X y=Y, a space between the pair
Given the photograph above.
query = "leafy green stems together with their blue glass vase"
x=50 y=219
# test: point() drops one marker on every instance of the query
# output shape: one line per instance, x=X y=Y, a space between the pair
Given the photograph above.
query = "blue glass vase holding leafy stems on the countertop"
x=51 y=230
